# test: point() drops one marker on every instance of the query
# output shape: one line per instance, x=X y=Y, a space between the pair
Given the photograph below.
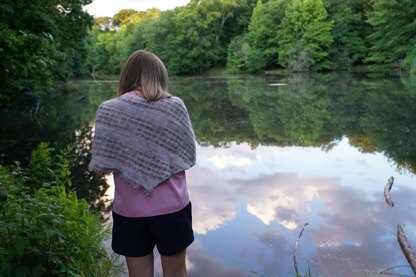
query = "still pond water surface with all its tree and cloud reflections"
x=275 y=153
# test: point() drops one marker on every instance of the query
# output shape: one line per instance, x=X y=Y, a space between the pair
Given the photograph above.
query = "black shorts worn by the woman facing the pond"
x=137 y=236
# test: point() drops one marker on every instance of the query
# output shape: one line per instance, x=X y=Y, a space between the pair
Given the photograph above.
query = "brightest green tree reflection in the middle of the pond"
x=295 y=114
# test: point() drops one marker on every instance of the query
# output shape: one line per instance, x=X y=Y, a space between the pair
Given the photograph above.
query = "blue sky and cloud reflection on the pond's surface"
x=250 y=205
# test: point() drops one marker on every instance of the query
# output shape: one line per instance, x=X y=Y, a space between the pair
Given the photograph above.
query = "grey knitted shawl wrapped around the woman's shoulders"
x=145 y=141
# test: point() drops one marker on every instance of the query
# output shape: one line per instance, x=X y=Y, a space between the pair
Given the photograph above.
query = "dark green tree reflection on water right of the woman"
x=375 y=114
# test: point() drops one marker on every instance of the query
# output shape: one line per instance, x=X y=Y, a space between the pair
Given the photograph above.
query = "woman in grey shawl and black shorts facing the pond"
x=145 y=138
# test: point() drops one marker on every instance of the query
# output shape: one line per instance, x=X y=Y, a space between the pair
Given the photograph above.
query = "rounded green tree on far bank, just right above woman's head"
x=191 y=38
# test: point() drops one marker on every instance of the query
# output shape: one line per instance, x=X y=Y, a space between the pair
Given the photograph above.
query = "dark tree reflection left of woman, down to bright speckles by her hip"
x=63 y=119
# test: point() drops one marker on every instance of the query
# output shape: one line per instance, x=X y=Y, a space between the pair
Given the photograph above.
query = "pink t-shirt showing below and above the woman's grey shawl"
x=169 y=196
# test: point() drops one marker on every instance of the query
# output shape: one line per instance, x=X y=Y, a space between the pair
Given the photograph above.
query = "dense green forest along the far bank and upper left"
x=42 y=42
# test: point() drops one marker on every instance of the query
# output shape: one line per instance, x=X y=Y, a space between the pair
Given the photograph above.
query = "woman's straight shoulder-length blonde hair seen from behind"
x=144 y=71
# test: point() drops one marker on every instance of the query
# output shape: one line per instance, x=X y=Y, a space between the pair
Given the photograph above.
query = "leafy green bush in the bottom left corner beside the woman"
x=48 y=232
